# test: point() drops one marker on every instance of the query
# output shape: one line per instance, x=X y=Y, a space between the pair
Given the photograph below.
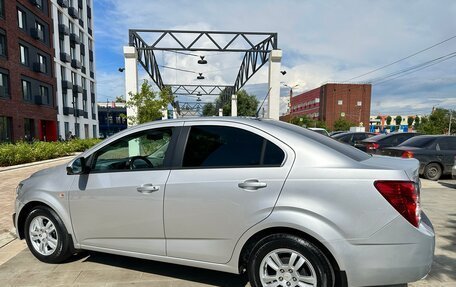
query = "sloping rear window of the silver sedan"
x=344 y=149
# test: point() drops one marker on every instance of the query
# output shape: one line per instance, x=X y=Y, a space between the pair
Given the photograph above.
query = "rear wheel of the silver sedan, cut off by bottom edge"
x=287 y=260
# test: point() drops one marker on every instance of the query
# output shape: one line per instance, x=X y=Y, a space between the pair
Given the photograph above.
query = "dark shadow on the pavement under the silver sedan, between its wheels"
x=192 y=274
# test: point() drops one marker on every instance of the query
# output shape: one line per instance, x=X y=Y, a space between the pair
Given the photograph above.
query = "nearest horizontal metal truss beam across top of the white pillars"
x=199 y=40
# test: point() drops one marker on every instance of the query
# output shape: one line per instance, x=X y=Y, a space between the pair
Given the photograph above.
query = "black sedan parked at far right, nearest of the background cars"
x=435 y=153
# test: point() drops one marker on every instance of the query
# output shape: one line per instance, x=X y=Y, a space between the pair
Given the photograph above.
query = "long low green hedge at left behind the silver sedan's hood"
x=23 y=152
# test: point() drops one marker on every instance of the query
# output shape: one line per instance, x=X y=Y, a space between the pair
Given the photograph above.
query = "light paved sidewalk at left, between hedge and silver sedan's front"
x=9 y=178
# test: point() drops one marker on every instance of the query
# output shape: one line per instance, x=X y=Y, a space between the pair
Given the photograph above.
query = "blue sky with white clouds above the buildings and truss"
x=322 y=41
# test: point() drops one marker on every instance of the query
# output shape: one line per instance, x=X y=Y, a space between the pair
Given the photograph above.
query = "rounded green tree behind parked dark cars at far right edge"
x=436 y=123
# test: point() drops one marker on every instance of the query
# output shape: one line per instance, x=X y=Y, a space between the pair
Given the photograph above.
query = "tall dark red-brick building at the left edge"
x=27 y=81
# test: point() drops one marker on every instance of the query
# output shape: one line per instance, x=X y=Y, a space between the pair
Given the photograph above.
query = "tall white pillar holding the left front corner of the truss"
x=131 y=77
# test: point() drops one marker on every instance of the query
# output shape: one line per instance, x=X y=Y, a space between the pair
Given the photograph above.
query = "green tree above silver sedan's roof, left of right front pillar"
x=247 y=104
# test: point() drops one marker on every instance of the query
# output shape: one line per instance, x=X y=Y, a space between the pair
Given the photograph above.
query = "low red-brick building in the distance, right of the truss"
x=330 y=102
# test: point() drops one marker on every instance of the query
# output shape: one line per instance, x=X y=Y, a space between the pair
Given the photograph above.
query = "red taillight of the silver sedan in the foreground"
x=404 y=196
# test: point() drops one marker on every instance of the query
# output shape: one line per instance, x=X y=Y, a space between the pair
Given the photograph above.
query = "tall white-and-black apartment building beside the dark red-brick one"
x=75 y=68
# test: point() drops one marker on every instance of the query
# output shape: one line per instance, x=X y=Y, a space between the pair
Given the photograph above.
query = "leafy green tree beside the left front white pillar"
x=148 y=104
